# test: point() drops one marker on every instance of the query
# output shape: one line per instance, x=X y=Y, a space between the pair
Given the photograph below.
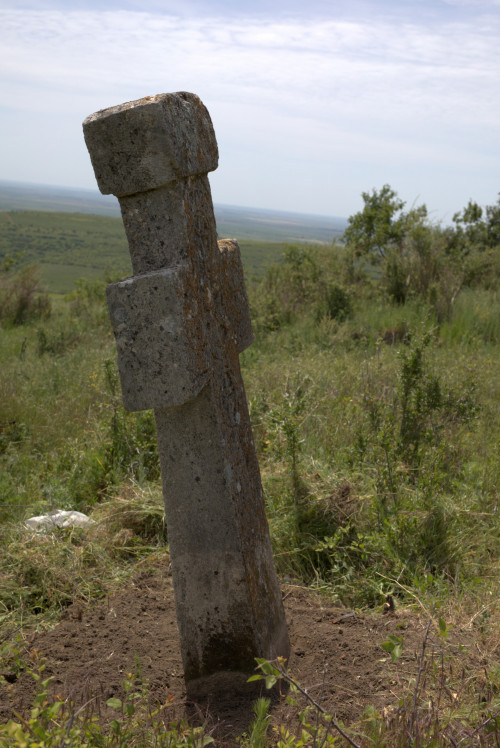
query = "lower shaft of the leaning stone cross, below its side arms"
x=228 y=599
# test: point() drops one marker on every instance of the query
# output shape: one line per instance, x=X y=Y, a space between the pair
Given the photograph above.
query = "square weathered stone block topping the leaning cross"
x=145 y=144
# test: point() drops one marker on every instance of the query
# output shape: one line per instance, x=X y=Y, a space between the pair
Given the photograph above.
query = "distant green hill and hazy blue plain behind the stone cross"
x=78 y=233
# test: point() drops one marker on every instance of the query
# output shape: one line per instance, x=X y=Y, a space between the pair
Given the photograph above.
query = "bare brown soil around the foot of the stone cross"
x=336 y=655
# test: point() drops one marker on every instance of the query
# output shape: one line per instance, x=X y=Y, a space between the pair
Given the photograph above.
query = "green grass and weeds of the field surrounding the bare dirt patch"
x=377 y=428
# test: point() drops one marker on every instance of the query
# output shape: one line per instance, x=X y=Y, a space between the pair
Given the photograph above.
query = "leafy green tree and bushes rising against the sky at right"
x=415 y=258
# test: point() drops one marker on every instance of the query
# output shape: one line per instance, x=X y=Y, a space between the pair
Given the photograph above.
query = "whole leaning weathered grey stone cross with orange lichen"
x=180 y=323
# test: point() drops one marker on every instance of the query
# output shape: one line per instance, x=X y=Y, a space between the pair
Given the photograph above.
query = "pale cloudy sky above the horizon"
x=313 y=101
